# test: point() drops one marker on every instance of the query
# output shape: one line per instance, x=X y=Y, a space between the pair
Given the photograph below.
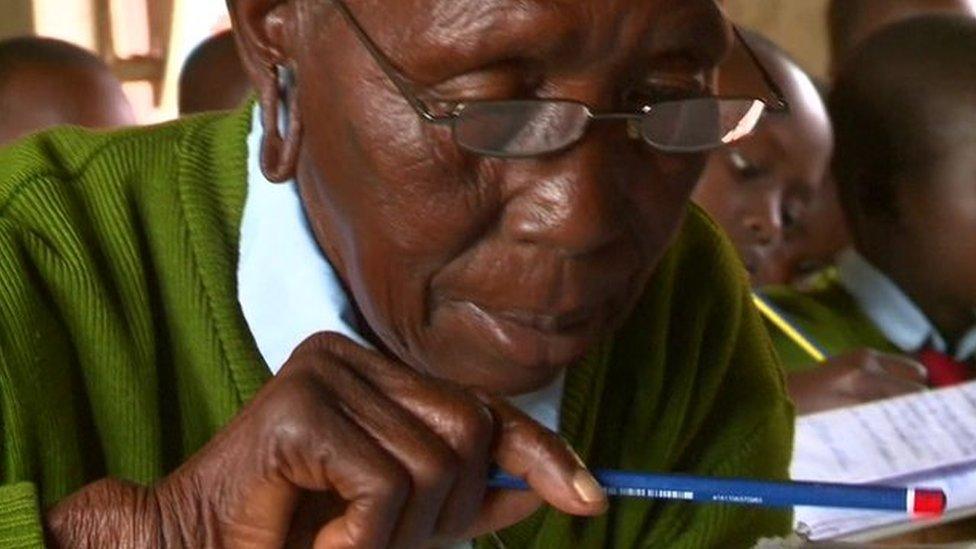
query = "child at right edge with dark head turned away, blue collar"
x=904 y=109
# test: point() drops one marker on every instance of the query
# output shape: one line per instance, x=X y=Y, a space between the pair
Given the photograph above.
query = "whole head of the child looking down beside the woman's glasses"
x=762 y=189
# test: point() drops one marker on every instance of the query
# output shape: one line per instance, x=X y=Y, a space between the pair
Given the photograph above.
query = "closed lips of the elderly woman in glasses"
x=529 y=338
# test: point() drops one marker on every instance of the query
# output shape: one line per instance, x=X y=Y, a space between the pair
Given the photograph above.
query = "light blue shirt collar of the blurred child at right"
x=897 y=317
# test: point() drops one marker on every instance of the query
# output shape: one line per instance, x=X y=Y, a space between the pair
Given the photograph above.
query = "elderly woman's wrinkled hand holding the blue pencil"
x=344 y=448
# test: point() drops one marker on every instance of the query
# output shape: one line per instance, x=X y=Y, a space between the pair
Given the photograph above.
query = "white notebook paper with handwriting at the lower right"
x=921 y=440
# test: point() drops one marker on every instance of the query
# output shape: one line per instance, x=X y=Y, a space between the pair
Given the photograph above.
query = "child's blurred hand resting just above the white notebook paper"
x=854 y=378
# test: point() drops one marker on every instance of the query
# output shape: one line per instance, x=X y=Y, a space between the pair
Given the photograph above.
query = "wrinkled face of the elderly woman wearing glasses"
x=495 y=273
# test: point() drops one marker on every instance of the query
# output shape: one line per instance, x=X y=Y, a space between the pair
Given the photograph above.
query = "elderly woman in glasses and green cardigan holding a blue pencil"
x=481 y=233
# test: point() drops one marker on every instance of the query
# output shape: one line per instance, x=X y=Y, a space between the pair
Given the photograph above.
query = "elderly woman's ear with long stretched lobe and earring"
x=263 y=30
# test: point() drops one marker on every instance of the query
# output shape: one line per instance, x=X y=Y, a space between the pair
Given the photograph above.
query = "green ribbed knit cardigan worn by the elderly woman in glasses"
x=123 y=348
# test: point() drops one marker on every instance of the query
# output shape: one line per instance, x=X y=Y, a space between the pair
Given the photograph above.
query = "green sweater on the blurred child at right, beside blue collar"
x=826 y=314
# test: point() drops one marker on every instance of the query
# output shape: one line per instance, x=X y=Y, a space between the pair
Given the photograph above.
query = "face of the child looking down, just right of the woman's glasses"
x=764 y=190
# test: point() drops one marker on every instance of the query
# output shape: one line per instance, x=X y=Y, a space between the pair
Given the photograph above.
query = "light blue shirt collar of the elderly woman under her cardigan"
x=288 y=290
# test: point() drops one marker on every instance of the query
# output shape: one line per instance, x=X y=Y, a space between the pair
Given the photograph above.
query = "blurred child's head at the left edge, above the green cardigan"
x=46 y=82
